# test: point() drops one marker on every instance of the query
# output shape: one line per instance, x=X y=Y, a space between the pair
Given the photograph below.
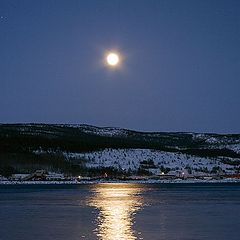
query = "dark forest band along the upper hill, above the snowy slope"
x=27 y=138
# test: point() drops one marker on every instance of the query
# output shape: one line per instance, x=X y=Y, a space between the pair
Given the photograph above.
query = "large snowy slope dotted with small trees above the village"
x=130 y=159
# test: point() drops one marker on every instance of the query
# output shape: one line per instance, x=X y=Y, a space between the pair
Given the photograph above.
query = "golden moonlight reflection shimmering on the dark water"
x=117 y=206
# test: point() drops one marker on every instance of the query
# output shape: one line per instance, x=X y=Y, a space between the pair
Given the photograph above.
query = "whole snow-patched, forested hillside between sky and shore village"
x=90 y=150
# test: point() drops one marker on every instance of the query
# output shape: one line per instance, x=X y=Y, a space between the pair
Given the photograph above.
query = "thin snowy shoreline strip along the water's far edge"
x=149 y=181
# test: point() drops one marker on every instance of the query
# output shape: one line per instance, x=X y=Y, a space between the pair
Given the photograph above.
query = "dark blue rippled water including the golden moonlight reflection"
x=114 y=211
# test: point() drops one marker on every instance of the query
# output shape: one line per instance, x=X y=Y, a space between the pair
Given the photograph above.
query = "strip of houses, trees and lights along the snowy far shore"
x=44 y=177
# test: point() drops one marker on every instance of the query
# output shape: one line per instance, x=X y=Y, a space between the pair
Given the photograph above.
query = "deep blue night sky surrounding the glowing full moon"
x=181 y=68
